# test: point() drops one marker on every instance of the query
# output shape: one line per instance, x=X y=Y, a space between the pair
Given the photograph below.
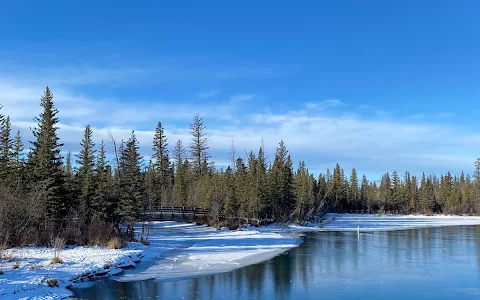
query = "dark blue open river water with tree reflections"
x=440 y=263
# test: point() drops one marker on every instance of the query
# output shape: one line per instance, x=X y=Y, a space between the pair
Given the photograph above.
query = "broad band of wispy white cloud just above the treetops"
x=314 y=132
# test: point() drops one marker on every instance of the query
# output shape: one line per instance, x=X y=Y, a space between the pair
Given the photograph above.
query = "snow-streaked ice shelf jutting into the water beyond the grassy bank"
x=183 y=250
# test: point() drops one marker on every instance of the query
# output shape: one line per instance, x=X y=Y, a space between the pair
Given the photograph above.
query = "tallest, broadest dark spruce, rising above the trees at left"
x=45 y=162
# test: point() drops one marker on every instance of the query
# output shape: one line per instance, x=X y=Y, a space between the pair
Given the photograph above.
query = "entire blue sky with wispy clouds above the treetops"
x=376 y=85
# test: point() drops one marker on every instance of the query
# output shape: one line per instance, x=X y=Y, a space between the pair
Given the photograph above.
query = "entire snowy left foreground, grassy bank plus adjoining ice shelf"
x=176 y=250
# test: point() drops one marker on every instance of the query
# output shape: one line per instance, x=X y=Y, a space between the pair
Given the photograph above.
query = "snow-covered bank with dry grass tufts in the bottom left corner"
x=27 y=270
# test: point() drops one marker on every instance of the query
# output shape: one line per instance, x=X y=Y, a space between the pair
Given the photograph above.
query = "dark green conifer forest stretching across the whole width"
x=42 y=195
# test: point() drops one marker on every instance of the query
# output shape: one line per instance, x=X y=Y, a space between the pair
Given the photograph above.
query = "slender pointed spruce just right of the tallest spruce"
x=86 y=161
